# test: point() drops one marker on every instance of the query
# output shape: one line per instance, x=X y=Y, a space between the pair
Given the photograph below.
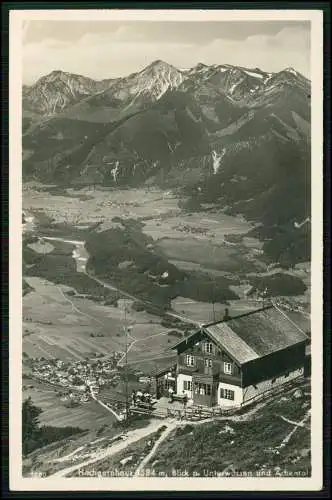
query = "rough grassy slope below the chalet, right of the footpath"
x=206 y=448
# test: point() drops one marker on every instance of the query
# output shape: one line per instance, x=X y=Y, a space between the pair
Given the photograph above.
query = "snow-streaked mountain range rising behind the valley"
x=232 y=136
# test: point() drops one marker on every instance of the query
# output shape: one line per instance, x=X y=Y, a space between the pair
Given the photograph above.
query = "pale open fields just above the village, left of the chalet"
x=59 y=326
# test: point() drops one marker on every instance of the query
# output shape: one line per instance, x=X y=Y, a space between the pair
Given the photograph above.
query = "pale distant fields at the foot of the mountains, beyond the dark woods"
x=162 y=219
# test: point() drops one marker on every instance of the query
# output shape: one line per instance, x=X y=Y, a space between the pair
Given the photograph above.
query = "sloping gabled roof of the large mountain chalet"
x=255 y=334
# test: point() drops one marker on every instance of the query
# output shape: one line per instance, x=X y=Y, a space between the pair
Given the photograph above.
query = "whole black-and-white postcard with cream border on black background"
x=166 y=218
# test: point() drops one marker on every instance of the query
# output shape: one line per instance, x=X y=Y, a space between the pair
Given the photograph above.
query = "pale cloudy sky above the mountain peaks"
x=111 y=49
